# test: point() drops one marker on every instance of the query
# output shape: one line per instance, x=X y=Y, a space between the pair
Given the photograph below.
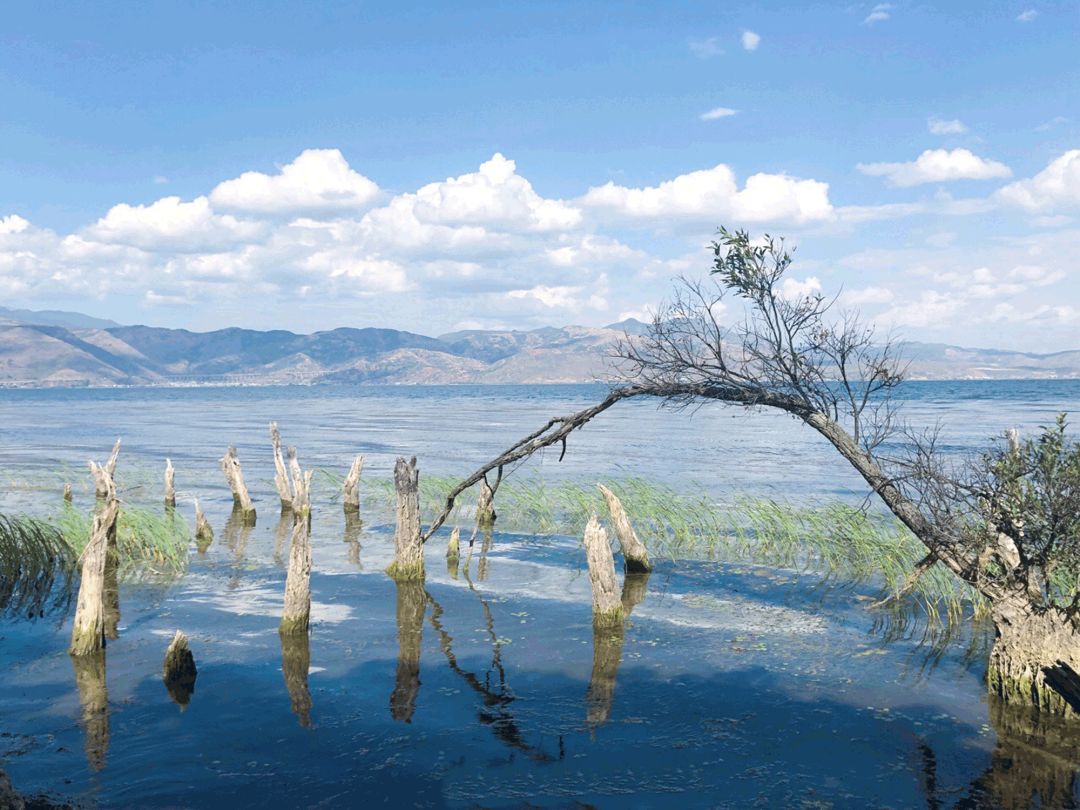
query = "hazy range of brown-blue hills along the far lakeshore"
x=85 y=353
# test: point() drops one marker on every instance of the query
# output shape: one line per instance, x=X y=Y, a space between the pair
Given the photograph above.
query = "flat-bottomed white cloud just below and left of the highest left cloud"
x=171 y=225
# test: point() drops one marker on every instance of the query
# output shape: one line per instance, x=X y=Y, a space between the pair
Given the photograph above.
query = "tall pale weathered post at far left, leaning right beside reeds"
x=89 y=629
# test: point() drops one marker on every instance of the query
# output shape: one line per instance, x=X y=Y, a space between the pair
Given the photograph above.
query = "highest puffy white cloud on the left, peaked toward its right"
x=317 y=181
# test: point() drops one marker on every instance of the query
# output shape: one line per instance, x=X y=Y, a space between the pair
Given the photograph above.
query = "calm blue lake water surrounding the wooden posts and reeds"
x=732 y=686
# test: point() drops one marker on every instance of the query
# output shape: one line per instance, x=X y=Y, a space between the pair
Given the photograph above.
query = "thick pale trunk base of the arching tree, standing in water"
x=1036 y=657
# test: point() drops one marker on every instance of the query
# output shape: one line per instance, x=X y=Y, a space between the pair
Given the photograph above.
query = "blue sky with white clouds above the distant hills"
x=442 y=167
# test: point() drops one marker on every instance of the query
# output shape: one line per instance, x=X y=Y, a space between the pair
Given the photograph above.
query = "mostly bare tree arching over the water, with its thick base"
x=1008 y=522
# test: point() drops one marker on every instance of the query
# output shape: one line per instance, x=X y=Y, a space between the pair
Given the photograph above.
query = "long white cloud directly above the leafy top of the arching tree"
x=713 y=195
